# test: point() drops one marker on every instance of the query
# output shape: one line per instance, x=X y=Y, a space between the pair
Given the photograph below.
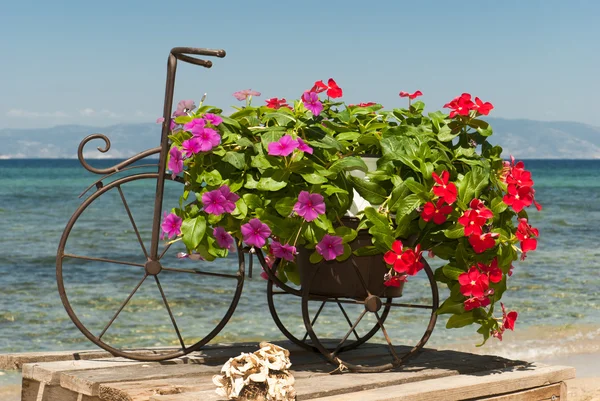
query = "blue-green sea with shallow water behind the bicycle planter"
x=556 y=290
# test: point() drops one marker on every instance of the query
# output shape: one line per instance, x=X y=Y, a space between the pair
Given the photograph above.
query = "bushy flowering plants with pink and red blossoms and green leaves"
x=282 y=176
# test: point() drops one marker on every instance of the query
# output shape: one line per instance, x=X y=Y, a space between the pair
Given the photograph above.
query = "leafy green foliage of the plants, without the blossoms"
x=409 y=145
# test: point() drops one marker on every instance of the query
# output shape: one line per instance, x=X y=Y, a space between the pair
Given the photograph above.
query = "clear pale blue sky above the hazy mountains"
x=104 y=62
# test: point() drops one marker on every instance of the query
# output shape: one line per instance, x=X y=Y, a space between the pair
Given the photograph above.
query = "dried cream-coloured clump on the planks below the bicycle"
x=262 y=375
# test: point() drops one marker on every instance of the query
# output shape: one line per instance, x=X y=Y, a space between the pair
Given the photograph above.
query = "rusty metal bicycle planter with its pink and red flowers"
x=355 y=279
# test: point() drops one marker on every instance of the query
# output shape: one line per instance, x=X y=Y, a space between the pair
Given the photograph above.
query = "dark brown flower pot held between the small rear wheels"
x=340 y=279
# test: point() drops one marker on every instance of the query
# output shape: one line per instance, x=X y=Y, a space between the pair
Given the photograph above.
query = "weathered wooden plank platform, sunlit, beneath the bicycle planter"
x=433 y=375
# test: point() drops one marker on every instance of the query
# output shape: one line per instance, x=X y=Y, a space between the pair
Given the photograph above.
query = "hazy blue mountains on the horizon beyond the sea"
x=525 y=139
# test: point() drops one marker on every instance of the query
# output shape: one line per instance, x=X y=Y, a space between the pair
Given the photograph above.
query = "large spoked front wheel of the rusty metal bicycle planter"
x=123 y=301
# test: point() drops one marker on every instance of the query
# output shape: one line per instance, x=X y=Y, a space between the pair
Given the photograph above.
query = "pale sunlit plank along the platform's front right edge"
x=478 y=385
